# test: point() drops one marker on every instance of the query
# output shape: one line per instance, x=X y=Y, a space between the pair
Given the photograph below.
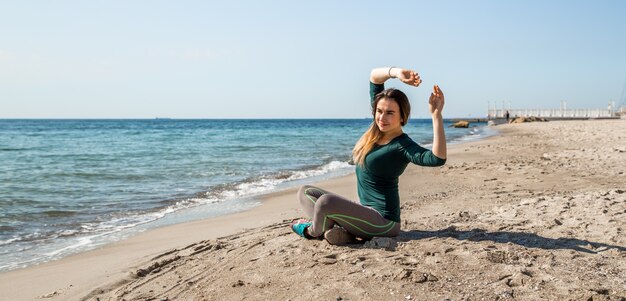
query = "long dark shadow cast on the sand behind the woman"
x=528 y=240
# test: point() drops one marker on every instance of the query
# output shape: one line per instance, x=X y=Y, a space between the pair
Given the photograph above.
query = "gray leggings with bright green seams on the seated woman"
x=327 y=209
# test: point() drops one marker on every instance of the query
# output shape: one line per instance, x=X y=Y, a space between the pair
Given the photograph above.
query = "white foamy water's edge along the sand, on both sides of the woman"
x=175 y=214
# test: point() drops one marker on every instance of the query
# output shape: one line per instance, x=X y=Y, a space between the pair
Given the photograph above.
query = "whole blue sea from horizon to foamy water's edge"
x=71 y=185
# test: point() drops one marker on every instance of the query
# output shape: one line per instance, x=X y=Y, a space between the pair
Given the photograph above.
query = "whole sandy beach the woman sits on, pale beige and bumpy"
x=536 y=213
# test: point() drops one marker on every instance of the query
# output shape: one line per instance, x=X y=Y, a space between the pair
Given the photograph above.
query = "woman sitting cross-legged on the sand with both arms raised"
x=381 y=156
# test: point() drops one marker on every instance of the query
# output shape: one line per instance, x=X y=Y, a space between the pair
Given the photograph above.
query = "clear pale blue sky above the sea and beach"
x=303 y=59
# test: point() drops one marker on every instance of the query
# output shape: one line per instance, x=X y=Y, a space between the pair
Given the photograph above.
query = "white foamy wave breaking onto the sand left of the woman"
x=88 y=235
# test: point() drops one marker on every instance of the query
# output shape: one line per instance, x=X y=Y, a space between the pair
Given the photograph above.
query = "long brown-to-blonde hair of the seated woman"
x=373 y=134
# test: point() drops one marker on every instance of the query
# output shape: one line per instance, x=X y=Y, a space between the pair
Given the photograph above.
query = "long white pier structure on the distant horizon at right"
x=561 y=113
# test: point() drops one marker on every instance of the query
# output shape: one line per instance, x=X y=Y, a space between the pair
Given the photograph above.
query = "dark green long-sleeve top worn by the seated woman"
x=377 y=179
